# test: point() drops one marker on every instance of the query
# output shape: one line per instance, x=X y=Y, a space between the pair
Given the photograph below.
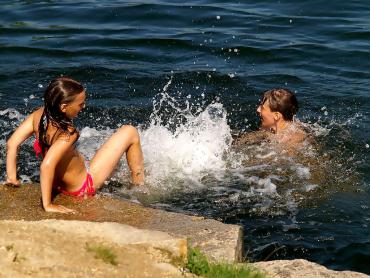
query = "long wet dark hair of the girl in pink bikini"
x=60 y=91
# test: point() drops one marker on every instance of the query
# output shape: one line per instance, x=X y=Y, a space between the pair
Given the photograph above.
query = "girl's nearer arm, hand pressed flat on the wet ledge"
x=47 y=171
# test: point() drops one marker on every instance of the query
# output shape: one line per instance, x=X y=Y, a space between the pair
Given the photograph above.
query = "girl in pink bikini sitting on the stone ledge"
x=63 y=167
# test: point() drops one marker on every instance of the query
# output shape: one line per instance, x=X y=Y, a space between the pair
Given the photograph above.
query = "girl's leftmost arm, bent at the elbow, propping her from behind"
x=23 y=132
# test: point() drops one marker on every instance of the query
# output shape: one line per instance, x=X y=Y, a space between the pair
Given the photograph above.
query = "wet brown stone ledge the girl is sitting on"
x=217 y=240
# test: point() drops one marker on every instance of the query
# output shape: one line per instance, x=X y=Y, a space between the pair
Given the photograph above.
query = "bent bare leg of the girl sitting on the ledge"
x=125 y=139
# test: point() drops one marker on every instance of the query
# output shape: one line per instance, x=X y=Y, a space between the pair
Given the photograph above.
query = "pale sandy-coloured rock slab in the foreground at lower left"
x=57 y=248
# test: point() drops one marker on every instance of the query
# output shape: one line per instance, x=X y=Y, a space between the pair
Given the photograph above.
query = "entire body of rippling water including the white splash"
x=190 y=77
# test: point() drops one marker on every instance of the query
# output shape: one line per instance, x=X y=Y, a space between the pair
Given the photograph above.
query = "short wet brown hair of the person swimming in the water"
x=283 y=101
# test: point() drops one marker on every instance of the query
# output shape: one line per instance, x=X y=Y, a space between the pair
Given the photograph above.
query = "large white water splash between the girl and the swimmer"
x=193 y=149
